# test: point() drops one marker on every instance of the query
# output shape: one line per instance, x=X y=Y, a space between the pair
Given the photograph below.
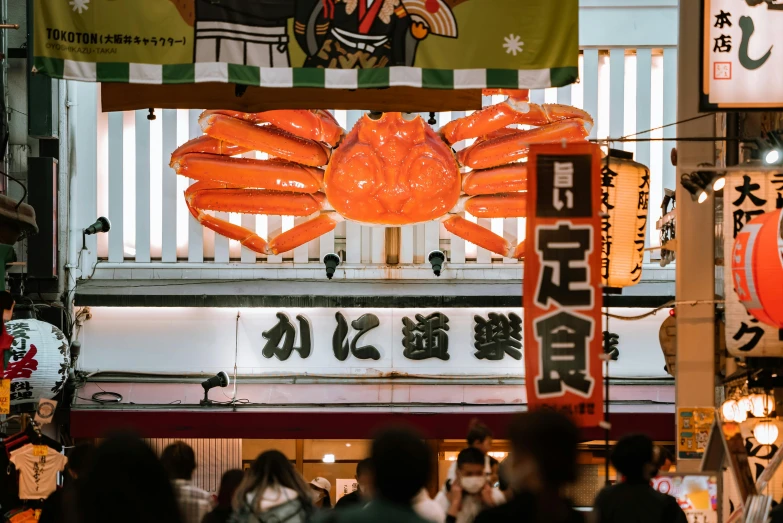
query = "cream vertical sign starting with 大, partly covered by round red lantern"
x=747 y=195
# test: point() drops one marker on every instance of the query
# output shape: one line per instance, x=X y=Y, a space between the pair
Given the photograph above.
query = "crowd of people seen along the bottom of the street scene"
x=123 y=481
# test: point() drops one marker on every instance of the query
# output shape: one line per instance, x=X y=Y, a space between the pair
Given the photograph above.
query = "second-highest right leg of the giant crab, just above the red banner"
x=513 y=147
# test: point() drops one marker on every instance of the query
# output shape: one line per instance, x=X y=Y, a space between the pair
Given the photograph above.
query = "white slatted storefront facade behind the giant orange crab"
x=162 y=303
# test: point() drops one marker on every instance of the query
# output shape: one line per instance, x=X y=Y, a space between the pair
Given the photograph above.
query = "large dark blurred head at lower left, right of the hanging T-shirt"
x=125 y=483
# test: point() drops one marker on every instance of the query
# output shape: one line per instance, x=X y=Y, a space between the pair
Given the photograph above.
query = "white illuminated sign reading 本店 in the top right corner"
x=742 y=63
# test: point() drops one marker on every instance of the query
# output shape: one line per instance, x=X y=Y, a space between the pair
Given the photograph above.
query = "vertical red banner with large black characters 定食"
x=562 y=294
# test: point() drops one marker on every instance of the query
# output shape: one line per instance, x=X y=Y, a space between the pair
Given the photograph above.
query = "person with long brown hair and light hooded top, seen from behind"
x=272 y=490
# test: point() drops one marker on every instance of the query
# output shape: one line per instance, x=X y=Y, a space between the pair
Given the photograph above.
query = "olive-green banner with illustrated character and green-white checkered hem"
x=340 y=44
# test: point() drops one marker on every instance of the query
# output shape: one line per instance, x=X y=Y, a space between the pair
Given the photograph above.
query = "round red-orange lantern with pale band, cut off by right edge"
x=757 y=268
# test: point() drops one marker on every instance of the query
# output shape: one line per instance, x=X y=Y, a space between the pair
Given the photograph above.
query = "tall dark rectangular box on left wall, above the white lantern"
x=42 y=195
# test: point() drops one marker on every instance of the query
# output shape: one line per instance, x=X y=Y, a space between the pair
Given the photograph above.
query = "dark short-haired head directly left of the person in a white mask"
x=402 y=464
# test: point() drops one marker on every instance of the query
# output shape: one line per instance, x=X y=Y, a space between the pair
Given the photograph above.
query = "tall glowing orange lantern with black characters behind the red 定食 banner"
x=626 y=195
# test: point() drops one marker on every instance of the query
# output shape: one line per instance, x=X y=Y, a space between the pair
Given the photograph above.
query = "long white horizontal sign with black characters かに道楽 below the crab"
x=344 y=342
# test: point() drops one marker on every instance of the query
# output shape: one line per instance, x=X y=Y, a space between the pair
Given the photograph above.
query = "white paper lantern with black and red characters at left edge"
x=37 y=363
